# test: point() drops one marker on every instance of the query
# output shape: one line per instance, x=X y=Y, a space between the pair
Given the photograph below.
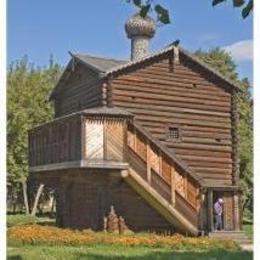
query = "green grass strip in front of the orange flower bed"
x=102 y=252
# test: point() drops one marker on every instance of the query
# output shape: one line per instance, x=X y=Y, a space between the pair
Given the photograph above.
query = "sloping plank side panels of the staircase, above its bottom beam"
x=161 y=171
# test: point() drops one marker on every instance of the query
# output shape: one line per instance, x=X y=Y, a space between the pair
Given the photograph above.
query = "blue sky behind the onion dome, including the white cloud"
x=41 y=28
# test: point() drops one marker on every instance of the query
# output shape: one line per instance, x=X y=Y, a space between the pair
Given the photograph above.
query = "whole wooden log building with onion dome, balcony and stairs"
x=155 y=137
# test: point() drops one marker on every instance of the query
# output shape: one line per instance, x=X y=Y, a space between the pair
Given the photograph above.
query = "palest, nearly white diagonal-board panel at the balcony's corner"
x=94 y=140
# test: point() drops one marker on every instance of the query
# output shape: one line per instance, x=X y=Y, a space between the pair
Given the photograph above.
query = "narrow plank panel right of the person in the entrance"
x=228 y=211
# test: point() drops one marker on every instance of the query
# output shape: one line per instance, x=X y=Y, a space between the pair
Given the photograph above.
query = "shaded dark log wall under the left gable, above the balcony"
x=82 y=90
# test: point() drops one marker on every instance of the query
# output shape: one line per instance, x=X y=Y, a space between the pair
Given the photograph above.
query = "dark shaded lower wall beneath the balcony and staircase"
x=85 y=198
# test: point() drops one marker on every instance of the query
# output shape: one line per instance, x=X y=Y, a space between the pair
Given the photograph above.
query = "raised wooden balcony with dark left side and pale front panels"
x=92 y=138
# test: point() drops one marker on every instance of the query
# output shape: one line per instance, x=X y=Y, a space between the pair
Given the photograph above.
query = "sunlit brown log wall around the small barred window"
x=162 y=95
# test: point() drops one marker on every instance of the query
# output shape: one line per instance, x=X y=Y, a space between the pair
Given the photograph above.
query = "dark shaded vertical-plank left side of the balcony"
x=55 y=142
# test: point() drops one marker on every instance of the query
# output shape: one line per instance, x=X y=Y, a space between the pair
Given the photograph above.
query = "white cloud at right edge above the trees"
x=241 y=51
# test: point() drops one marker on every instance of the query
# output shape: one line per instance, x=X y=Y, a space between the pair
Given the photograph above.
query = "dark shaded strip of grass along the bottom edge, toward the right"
x=212 y=255
